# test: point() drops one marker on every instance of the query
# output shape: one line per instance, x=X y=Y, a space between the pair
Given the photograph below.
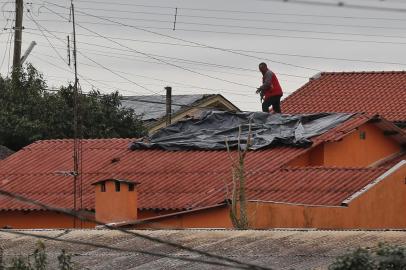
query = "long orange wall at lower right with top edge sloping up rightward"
x=382 y=206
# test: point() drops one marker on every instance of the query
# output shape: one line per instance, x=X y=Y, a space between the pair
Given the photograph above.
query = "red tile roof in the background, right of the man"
x=382 y=93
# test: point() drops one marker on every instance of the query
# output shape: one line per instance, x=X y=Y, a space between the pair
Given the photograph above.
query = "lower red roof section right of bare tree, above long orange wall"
x=311 y=185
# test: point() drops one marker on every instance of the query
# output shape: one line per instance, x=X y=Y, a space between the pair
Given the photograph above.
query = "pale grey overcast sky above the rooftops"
x=215 y=48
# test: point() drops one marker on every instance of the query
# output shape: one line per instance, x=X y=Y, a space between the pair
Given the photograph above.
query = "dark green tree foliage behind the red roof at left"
x=29 y=112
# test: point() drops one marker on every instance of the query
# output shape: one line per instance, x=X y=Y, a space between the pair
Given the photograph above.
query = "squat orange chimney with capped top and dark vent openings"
x=116 y=200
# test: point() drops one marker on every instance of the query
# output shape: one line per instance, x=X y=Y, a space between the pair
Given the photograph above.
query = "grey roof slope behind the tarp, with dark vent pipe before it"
x=153 y=107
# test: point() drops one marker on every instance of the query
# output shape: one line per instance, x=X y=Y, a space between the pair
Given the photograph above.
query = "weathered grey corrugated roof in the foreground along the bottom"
x=277 y=249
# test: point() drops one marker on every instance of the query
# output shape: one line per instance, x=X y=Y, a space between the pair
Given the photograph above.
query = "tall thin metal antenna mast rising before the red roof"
x=76 y=137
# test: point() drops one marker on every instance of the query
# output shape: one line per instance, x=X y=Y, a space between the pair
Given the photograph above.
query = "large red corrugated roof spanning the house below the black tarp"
x=176 y=180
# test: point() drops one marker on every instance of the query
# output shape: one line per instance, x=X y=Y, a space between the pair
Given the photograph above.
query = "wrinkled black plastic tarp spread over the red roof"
x=212 y=130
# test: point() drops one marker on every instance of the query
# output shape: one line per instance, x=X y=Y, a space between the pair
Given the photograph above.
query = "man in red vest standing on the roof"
x=270 y=91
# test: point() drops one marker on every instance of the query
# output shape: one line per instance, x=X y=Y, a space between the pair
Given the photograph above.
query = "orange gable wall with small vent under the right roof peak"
x=351 y=151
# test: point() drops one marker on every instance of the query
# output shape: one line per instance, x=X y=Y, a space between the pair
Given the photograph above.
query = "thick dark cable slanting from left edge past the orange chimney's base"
x=236 y=263
